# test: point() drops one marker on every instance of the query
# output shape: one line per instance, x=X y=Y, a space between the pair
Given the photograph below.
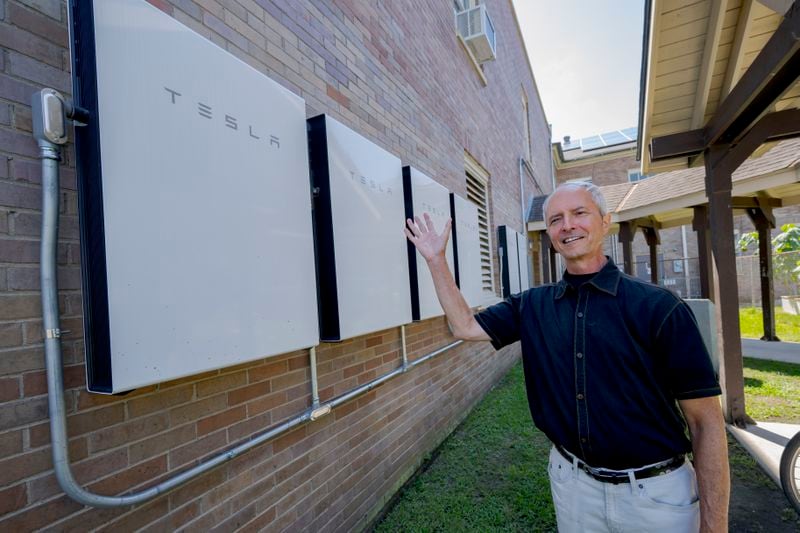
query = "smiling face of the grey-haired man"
x=575 y=226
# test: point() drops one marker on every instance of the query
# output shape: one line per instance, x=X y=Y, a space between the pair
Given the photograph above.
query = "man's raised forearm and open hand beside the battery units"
x=432 y=247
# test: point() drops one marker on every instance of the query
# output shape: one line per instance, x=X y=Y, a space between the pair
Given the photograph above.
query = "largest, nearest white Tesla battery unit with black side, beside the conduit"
x=195 y=207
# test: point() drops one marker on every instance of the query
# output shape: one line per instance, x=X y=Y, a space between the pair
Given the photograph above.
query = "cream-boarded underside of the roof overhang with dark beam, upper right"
x=710 y=71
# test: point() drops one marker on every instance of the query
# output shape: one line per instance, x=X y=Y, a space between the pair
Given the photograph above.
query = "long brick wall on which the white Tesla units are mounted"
x=396 y=73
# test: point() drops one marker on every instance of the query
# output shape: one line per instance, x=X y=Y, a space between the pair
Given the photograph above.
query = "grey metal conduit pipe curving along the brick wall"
x=49 y=154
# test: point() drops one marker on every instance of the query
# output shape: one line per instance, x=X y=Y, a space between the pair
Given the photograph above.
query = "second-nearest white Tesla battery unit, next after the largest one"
x=359 y=213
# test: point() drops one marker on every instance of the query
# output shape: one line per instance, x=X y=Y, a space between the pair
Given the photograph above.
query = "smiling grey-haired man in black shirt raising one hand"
x=615 y=371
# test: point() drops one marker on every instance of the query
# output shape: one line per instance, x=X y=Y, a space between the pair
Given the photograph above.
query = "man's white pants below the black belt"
x=661 y=503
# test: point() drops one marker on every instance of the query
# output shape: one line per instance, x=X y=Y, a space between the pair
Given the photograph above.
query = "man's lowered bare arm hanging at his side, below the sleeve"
x=710 y=449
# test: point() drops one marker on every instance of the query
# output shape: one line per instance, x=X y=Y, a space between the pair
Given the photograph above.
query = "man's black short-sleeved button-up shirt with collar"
x=604 y=365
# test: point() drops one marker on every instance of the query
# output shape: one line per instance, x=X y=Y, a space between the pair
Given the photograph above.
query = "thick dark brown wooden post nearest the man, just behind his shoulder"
x=718 y=187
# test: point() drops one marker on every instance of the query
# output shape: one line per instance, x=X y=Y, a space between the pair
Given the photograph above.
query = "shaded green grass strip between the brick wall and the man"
x=489 y=475
